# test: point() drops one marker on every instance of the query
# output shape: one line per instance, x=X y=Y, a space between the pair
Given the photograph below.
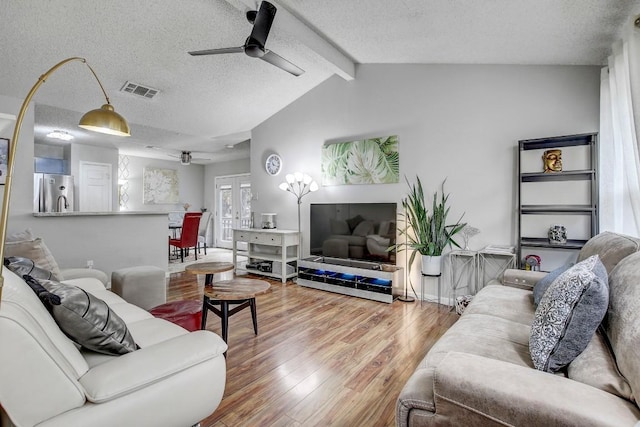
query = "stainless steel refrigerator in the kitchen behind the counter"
x=52 y=193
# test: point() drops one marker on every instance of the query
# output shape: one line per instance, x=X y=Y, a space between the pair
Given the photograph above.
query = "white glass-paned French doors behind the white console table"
x=233 y=207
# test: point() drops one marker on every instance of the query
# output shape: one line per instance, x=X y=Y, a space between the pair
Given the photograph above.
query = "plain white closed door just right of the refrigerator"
x=95 y=187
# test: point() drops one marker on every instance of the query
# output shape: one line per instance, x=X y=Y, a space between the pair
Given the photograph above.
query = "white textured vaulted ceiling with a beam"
x=208 y=102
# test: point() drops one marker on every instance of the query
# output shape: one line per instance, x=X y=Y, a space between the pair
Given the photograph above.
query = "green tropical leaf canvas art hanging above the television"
x=367 y=161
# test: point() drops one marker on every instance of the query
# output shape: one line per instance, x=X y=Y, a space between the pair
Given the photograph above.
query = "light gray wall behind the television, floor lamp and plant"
x=459 y=122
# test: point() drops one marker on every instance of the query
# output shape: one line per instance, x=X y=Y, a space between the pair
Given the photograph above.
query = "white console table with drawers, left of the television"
x=277 y=247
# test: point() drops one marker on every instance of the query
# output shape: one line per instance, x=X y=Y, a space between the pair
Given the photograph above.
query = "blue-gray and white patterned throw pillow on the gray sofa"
x=569 y=313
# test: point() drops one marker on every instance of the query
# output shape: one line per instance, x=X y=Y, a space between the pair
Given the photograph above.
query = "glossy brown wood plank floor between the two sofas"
x=320 y=358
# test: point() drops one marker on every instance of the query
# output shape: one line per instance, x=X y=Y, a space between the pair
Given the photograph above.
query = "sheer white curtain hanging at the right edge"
x=619 y=130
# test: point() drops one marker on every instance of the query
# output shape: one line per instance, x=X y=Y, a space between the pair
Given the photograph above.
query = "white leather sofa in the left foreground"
x=175 y=378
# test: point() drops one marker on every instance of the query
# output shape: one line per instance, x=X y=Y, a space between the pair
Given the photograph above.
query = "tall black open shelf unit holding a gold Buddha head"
x=557 y=197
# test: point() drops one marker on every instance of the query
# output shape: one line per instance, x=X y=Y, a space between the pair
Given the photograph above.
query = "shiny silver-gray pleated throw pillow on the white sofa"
x=85 y=319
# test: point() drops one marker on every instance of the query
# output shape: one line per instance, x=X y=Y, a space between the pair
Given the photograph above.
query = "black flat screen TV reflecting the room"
x=359 y=231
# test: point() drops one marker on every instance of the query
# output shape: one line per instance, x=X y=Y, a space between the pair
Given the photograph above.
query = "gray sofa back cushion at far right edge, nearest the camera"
x=622 y=323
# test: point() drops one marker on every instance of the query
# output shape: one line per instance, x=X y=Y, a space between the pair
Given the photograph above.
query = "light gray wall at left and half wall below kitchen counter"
x=111 y=242
